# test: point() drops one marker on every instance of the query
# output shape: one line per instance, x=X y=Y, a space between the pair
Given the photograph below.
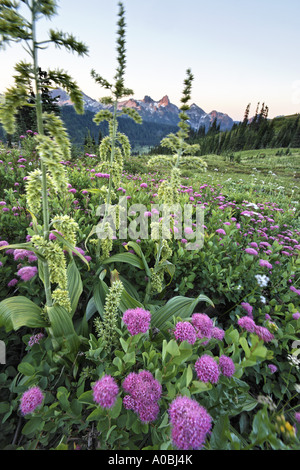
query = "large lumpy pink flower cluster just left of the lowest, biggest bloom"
x=143 y=394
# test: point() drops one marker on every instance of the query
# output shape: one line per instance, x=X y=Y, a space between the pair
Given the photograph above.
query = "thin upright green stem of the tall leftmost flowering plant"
x=40 y=128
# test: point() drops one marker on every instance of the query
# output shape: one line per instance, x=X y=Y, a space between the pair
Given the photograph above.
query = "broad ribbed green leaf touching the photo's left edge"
x=19 y=311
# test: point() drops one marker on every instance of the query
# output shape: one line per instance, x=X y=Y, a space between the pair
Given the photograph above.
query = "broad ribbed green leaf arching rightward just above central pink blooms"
x=177 y=306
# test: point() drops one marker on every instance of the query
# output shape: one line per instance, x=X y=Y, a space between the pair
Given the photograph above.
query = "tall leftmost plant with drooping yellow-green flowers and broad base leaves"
x=52 y=146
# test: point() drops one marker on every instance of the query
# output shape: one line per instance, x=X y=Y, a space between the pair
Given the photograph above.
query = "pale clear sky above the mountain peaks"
x=239 y=51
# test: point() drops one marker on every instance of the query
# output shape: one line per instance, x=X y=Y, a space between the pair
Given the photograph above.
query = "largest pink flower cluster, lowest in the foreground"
x=190 y=423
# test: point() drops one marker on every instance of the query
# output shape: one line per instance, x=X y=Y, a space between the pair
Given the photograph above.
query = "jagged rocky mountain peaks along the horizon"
x=158 y=112
